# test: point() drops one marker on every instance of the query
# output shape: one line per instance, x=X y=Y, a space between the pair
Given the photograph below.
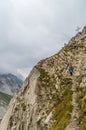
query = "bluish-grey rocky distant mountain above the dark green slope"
x=9 y=83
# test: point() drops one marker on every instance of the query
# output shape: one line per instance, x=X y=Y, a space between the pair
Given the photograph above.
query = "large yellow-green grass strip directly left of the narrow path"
x=63 y=110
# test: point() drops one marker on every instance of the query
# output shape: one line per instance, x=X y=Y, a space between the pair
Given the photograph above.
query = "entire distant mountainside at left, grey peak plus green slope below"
x=9 y=84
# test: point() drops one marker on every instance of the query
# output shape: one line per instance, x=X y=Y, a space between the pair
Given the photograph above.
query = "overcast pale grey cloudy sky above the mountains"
x=31 y=30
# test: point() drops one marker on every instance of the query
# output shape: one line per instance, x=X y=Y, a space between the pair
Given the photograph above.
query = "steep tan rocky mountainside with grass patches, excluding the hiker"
x=50 y=98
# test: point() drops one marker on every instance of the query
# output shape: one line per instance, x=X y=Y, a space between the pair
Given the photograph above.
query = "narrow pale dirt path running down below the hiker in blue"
x=73 y=125
